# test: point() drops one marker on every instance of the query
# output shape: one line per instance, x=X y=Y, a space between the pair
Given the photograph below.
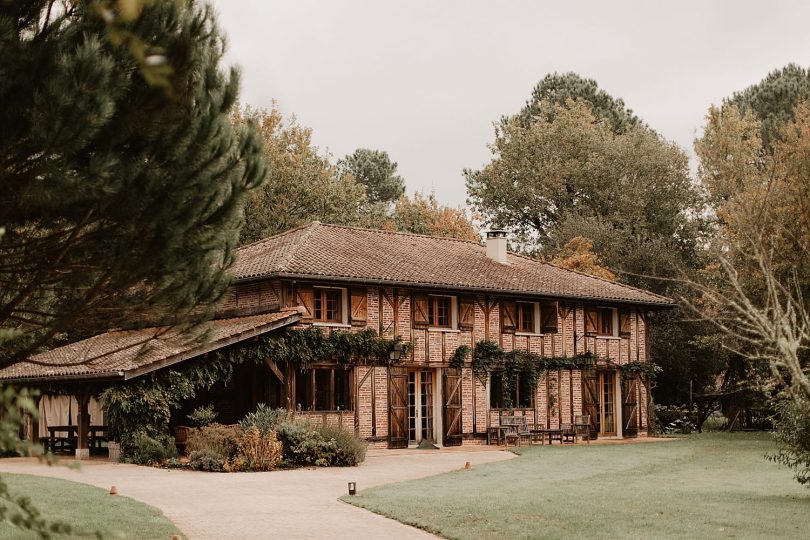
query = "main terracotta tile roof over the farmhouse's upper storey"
x=335 y=252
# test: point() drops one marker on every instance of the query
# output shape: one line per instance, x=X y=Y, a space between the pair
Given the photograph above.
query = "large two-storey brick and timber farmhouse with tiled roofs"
x=436 y=294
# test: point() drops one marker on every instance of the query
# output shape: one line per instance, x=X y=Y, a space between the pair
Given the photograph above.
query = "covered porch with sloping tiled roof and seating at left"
x=70 y=378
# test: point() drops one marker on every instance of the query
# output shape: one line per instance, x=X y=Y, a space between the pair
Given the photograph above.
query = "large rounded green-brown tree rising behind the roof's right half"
x=576 y=162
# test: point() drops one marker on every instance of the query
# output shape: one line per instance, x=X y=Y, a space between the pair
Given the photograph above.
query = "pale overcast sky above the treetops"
x=425 y=80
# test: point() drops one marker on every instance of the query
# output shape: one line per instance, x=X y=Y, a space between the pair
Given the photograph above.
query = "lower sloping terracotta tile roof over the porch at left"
x=124 y=354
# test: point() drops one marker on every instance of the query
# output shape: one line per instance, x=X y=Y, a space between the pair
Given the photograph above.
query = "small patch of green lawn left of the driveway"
x=87 y=509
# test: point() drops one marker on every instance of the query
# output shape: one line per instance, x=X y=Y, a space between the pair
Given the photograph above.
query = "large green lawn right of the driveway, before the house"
x=704 y=486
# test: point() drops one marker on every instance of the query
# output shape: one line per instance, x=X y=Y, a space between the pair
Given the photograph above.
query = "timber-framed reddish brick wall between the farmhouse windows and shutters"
x=558 y=396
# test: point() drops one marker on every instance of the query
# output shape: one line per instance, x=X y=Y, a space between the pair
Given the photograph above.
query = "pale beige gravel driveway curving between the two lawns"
x=298 y=503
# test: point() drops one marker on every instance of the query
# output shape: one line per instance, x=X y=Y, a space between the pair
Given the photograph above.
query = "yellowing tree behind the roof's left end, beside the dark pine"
x=302 y=184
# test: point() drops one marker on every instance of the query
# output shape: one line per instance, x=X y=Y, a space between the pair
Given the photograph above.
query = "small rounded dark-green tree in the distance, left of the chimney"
x=375 y=170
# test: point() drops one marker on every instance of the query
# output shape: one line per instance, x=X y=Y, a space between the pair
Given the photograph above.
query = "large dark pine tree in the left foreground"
x=122 y=178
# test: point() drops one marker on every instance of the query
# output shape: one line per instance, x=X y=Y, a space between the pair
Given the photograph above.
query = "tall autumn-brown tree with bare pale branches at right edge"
x=758 y=294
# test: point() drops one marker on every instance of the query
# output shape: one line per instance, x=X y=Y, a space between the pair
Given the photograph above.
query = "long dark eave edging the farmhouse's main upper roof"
x=397 y=283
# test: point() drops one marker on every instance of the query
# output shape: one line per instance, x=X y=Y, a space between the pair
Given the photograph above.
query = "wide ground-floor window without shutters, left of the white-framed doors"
x=323 y=389
